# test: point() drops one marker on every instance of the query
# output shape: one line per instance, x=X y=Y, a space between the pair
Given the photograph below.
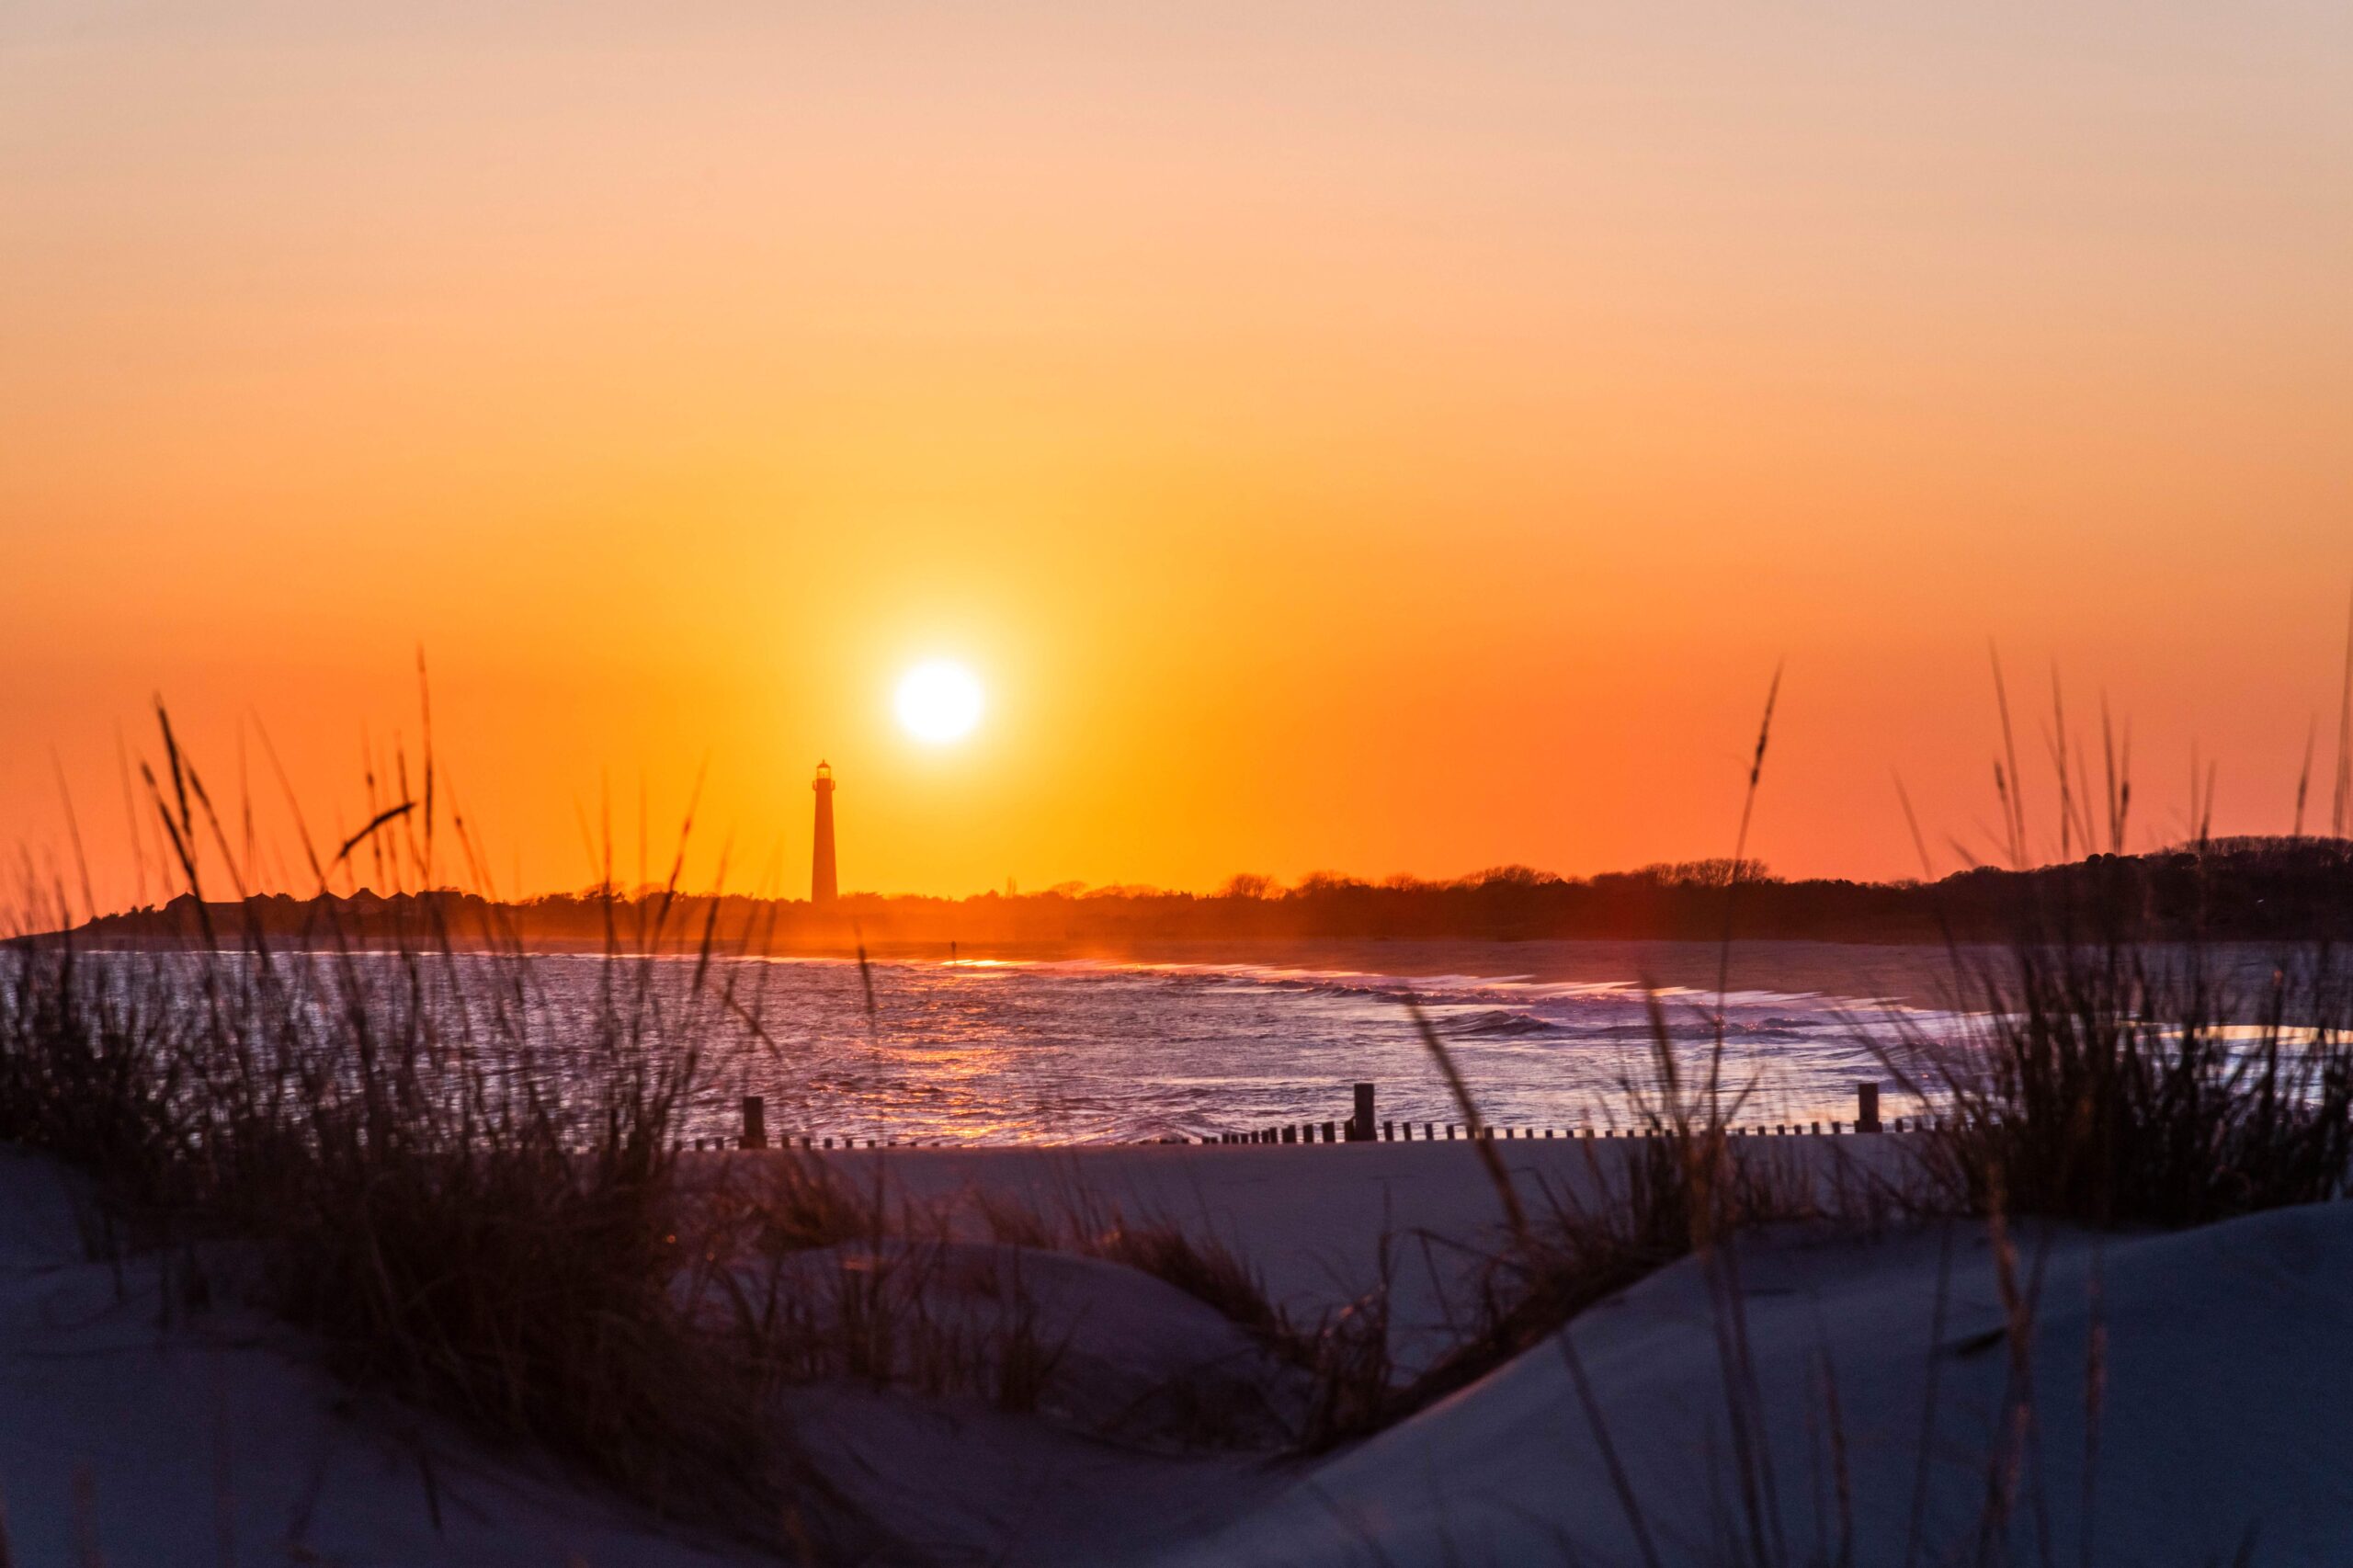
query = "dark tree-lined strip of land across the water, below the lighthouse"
x=2227 y=891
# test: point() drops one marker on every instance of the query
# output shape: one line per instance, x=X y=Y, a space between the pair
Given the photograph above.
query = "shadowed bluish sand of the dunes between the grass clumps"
x=1881 y=1383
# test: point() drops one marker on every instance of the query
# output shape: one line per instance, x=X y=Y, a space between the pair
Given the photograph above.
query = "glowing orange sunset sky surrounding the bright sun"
x=1338 y=437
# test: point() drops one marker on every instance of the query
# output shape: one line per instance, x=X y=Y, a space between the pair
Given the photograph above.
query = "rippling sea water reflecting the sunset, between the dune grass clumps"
x=1112 y=1051
